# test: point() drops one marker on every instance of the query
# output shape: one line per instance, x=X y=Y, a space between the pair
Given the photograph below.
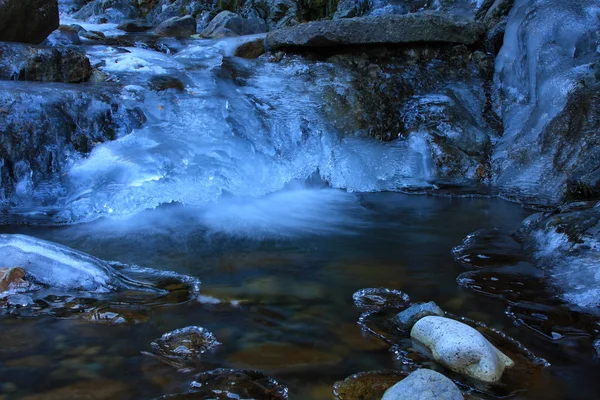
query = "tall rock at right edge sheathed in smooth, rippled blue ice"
x=550 y=126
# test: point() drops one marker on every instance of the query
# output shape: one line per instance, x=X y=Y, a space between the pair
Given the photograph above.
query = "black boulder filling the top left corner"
x=27 y=21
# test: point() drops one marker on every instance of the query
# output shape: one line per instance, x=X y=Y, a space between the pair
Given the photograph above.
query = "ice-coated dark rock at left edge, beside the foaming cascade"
x=47 y=128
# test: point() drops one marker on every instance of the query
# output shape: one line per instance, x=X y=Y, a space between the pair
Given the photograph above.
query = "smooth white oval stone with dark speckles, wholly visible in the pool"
x=461 y=348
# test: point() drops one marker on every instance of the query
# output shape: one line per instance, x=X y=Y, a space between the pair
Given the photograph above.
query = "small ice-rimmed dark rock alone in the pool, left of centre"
x=183 y=347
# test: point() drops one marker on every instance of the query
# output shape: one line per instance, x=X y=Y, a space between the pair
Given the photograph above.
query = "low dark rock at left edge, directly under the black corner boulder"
x=28 y=63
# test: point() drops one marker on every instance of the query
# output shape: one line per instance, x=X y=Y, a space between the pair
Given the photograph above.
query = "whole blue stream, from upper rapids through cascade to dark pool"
x=240 y=176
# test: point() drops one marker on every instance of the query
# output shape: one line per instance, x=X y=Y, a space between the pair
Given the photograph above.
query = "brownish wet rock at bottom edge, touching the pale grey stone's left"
x=366 y=385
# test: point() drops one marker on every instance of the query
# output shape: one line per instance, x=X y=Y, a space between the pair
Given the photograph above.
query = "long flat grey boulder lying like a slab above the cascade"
x=388 y=29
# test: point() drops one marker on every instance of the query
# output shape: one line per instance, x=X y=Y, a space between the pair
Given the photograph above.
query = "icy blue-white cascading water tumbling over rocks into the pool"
x=244 y=128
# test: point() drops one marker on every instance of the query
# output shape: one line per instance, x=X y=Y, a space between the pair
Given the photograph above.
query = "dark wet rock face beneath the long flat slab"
x=432 y=100
